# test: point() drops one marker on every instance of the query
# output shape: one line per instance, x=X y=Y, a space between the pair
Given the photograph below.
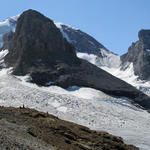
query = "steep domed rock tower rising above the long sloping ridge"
x=37 y=43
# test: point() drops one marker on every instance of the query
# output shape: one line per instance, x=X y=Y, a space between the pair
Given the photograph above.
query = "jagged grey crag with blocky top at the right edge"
x=139 y=55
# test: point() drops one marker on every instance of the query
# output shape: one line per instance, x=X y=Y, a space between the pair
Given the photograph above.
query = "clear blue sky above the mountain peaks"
x=114 y=23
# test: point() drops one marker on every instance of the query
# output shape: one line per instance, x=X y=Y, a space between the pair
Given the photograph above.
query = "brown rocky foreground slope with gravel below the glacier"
x=23 y=128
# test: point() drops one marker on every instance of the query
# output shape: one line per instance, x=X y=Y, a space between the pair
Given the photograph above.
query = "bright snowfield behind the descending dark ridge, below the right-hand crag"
x=114 y=69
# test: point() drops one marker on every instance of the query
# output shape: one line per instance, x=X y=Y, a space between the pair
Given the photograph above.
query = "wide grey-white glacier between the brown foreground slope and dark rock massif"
x=82 y=105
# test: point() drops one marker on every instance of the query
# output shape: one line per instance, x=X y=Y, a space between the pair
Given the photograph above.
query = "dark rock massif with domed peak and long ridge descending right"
x=39 y=49
